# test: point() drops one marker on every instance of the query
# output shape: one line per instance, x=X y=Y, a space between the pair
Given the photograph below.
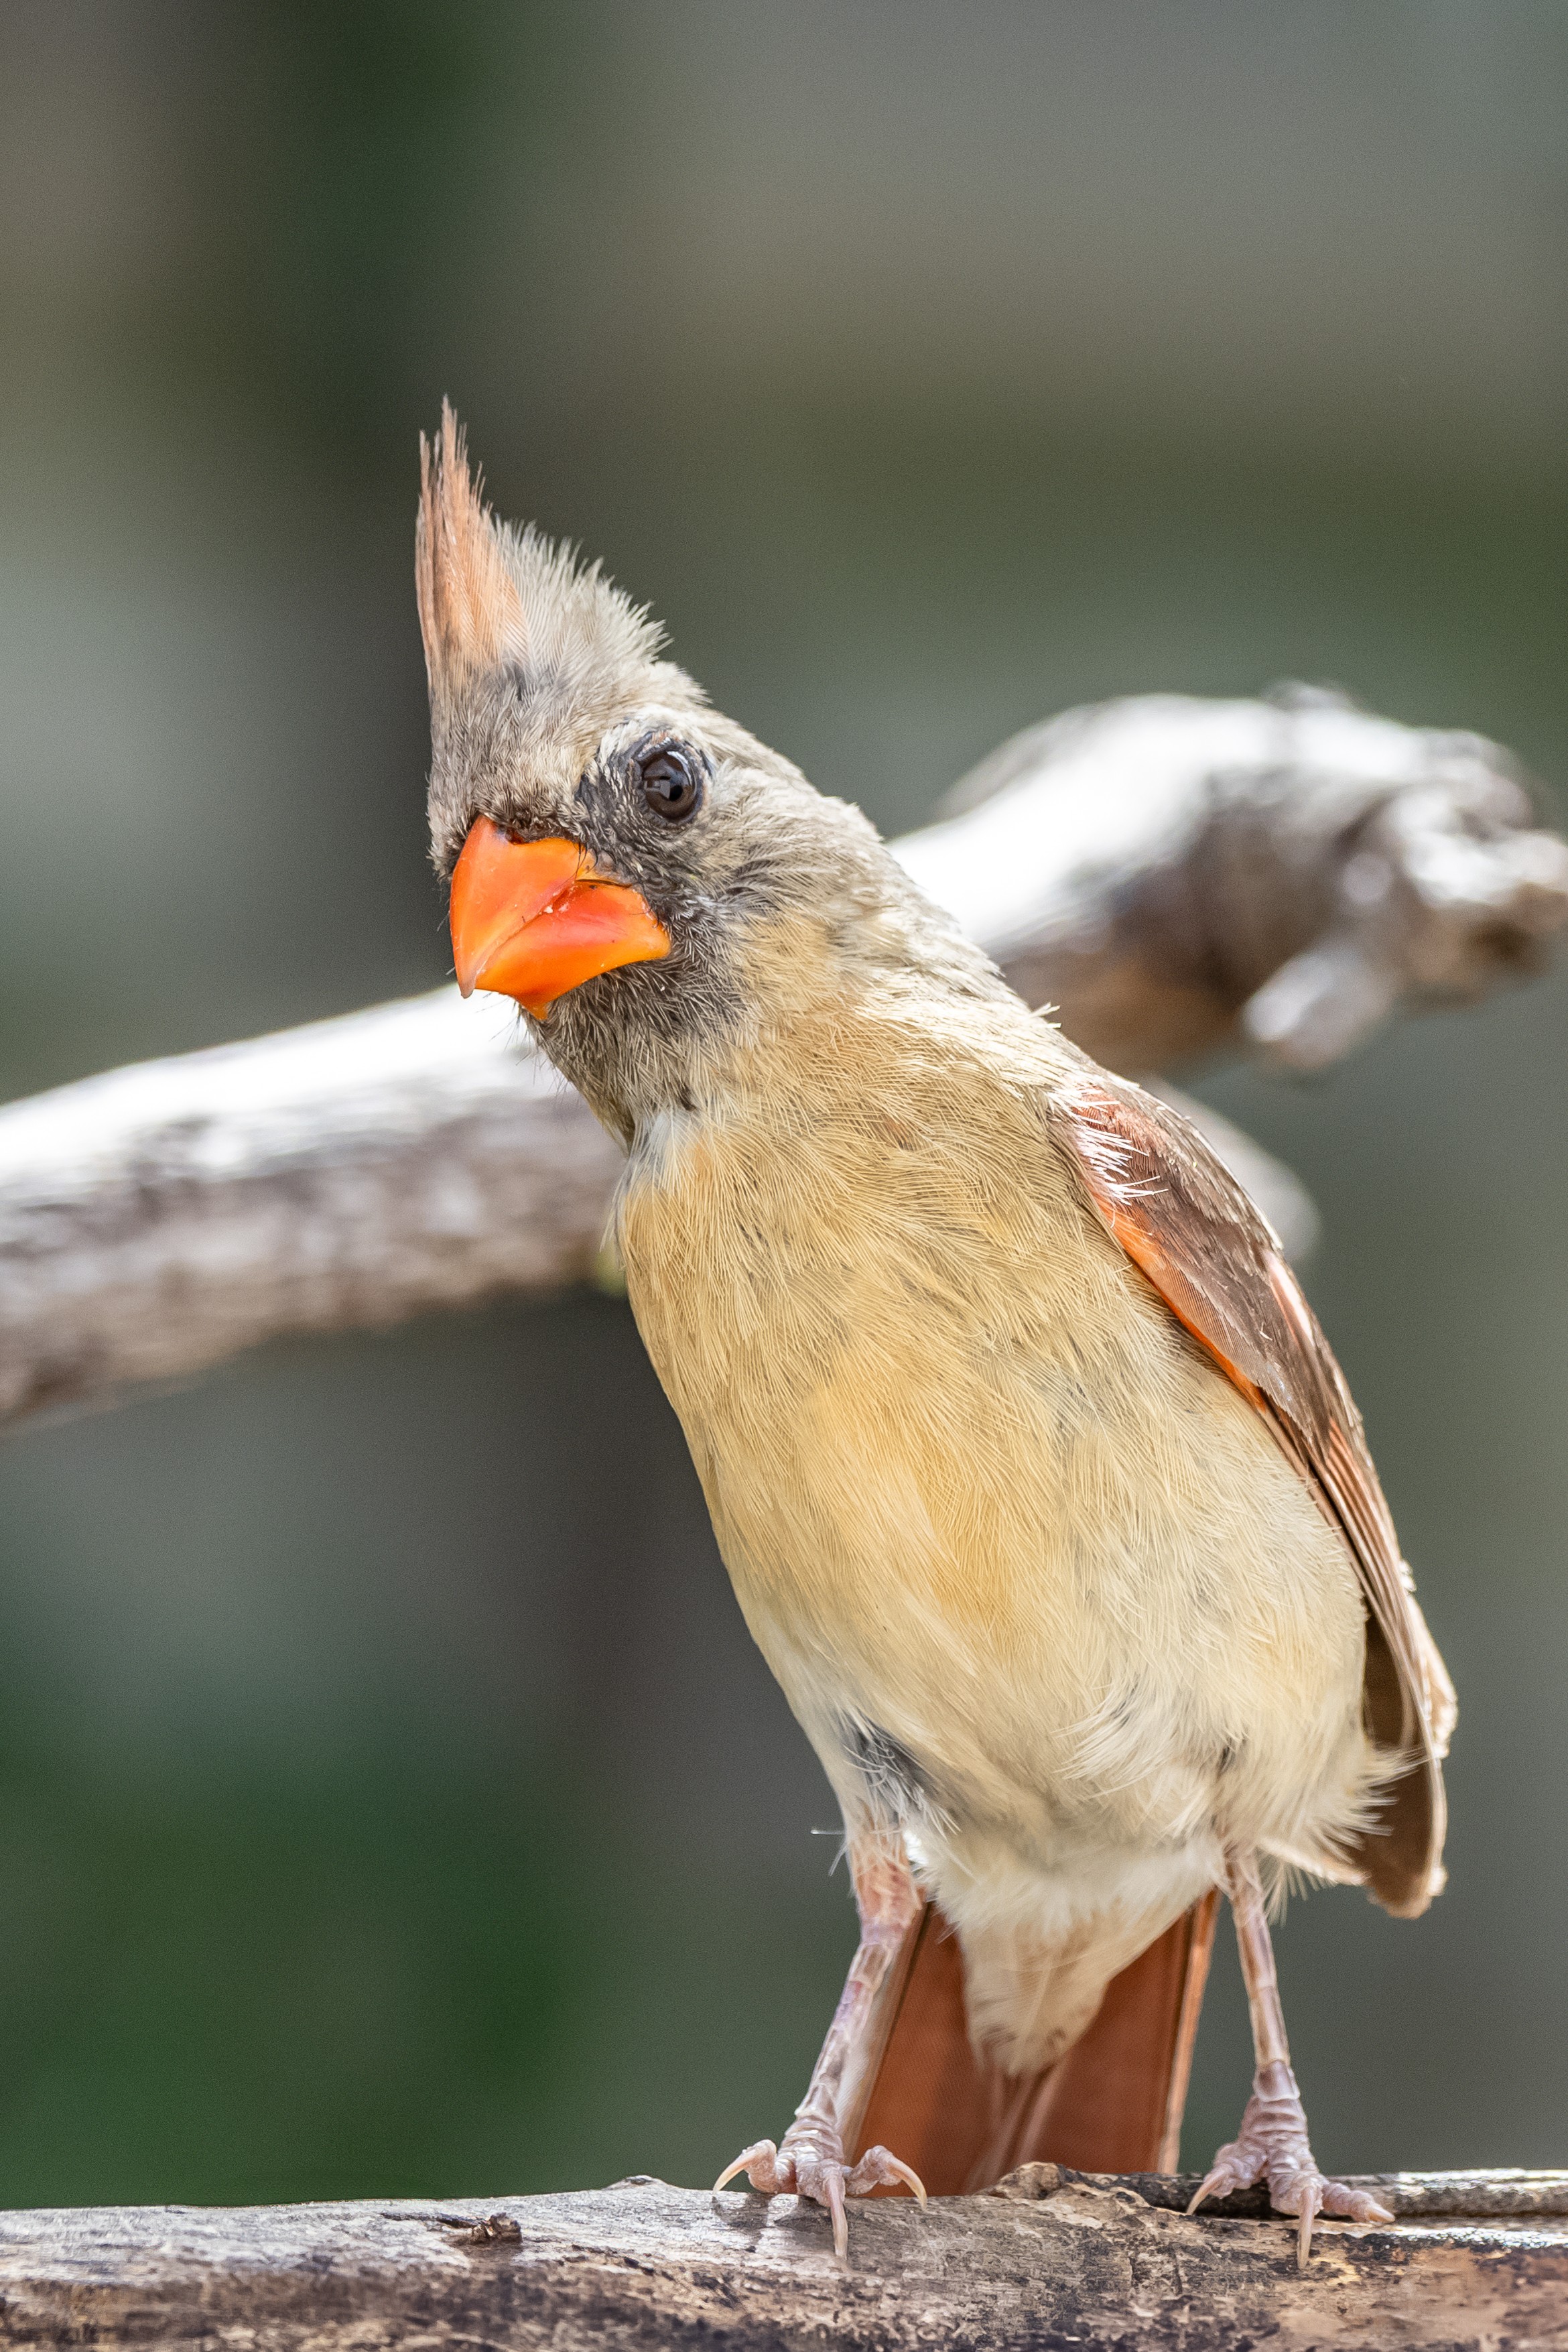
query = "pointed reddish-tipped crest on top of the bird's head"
x=495 y=599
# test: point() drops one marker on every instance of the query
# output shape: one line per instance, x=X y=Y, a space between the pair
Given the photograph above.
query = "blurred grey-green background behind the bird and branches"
x=389 y=1793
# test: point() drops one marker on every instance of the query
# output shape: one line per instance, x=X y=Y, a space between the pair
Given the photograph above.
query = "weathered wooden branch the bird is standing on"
x=1047 y=2261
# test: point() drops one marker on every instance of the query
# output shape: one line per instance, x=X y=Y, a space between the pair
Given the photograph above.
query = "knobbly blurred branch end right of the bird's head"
x=1278 y=876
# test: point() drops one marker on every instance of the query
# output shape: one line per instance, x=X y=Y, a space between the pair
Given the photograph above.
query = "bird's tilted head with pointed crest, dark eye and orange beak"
x=631 y=867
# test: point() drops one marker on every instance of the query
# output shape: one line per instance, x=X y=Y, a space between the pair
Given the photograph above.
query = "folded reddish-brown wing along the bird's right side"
x=1193 y=1231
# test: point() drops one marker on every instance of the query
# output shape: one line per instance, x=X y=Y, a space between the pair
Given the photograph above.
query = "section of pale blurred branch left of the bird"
x=349 y=1172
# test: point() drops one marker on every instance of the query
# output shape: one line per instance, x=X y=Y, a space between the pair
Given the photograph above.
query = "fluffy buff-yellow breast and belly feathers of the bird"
x=974 y=1485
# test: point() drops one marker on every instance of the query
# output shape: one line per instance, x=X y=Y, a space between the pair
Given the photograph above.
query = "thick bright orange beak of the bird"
x=532 y=921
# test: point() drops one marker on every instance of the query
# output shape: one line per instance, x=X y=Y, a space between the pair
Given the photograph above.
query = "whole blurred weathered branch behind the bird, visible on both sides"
x=1177 y=876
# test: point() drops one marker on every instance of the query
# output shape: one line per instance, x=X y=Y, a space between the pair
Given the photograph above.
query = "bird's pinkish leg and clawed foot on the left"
x=812 y=2156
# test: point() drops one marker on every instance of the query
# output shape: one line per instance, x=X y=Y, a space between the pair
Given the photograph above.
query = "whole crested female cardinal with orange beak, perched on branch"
x=1033 y=1471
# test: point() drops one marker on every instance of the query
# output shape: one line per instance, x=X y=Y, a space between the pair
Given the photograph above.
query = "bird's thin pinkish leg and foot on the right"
x=1273 y=2141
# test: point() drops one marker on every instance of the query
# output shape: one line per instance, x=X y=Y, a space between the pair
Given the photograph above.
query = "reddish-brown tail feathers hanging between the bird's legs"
x=1113 y=2104
